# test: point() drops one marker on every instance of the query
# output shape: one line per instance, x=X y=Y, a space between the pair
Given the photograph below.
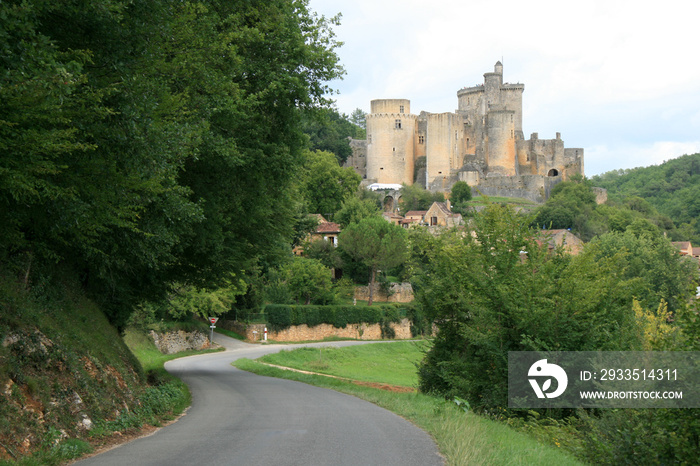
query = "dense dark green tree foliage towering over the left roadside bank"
x=149 y=142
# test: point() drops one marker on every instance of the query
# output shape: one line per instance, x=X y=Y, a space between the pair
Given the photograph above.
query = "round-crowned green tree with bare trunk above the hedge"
x=375 y=242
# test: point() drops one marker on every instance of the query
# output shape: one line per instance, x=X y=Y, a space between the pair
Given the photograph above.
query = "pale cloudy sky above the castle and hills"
x=618 y=78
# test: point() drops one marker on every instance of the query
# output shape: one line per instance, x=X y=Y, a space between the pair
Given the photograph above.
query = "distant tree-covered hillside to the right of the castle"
x=673 y=188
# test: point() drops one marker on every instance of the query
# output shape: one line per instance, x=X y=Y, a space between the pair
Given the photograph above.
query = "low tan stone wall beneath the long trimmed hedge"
x=255 y=332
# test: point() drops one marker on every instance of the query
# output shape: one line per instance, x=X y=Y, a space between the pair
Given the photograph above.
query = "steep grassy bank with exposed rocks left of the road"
x=64 y=371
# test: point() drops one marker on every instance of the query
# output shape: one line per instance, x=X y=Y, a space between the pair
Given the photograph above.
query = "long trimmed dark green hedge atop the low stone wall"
x=282 y=316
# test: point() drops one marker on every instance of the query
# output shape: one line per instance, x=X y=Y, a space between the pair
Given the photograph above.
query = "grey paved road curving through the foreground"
x=241 y=418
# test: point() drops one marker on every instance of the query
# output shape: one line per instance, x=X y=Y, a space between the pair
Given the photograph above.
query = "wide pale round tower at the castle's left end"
x=390 y=137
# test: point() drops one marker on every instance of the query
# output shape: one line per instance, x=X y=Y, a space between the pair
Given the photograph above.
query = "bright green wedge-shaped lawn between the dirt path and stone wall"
x=394 y=363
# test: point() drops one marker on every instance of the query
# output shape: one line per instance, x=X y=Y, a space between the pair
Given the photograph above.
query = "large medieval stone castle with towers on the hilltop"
x=481 y=143
